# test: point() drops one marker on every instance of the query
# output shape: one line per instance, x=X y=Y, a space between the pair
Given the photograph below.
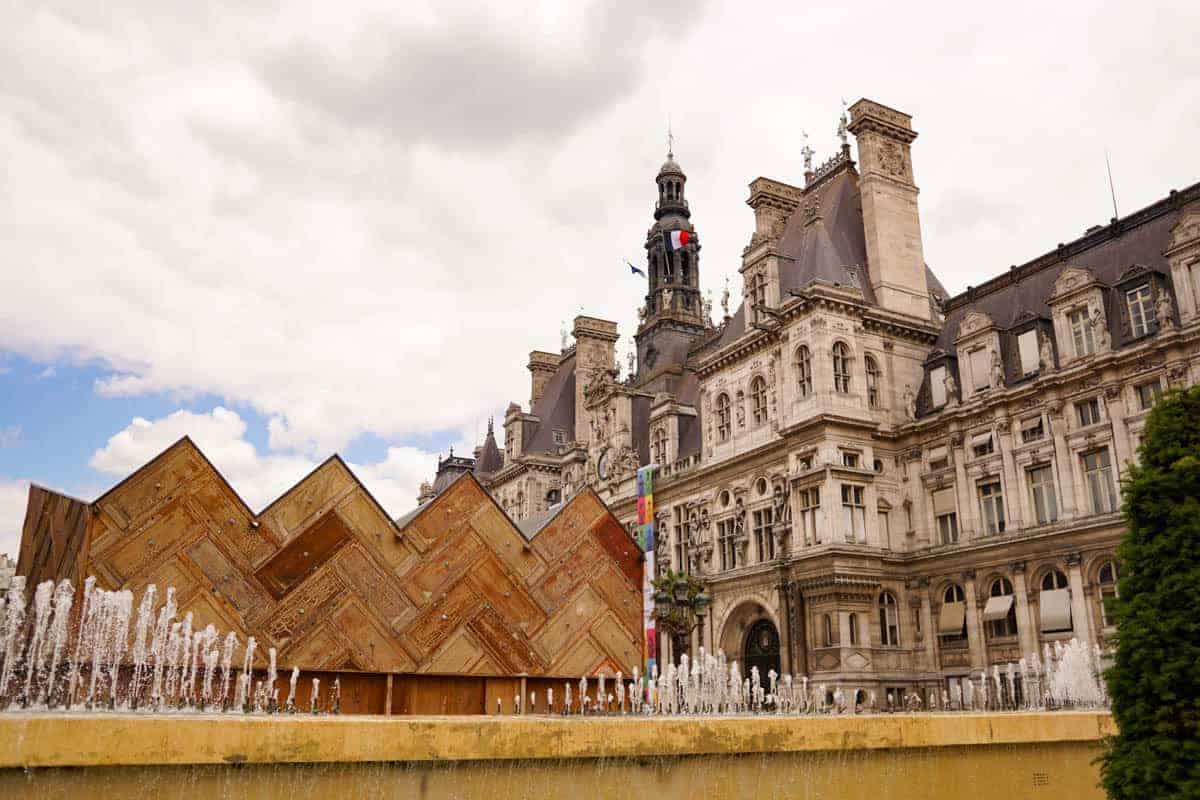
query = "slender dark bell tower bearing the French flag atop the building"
x=675 y=309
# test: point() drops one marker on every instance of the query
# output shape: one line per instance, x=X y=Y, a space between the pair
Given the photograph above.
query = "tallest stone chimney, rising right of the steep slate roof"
x=895 y=255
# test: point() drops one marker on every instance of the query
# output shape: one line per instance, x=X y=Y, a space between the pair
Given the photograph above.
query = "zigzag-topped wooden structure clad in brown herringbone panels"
x=326 y=578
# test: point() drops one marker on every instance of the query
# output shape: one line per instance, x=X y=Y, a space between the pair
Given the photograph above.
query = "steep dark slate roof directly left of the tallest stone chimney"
x=832 y=248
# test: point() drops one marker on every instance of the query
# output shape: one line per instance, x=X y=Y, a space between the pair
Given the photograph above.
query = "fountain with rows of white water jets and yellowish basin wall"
x=187 y=696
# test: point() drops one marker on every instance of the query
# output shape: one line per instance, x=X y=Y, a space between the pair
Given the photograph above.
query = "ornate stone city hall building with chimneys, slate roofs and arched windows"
x=883 y=488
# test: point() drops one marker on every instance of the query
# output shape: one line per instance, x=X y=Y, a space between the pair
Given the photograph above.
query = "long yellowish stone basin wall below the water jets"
x=982 y=757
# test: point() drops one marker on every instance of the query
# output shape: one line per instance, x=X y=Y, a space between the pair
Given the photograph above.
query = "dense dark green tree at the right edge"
x=1155 y=681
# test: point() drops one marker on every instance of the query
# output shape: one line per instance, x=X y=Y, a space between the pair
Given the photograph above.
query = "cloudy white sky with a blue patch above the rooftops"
x=296 y=230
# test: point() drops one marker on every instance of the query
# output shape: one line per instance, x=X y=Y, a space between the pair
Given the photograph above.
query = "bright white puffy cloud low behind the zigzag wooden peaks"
x=259 y=478
